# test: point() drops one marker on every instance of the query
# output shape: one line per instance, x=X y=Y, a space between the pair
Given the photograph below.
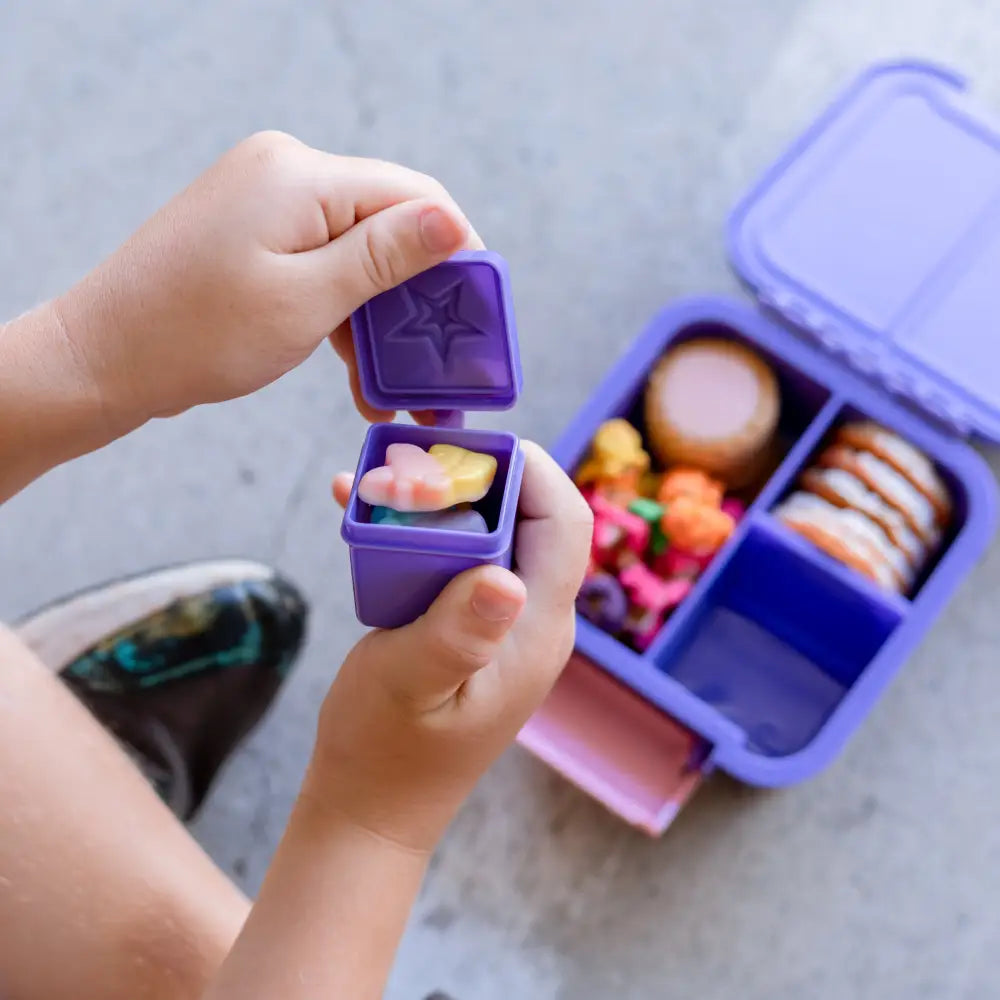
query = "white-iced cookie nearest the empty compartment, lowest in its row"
x=847 y=536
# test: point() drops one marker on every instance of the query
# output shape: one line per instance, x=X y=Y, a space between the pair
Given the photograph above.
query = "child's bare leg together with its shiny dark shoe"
x=103 y=893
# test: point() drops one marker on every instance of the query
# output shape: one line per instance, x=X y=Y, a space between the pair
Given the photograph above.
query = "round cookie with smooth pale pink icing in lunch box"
x=713 y=405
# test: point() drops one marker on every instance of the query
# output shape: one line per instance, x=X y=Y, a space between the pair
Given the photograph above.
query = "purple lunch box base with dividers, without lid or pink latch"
x=779 y=652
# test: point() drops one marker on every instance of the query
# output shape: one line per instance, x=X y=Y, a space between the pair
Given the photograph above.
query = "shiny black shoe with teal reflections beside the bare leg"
x=179 y=664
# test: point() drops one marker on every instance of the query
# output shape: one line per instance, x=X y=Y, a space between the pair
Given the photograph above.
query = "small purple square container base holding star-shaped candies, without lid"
x=399 y=571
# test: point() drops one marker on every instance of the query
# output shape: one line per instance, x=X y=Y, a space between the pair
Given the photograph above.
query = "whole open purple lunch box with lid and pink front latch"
x=873 y=247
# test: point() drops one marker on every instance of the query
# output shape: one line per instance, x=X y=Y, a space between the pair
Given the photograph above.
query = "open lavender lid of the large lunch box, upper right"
x=878 y=233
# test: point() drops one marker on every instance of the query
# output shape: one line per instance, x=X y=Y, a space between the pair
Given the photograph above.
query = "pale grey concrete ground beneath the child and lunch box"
x=599 y=147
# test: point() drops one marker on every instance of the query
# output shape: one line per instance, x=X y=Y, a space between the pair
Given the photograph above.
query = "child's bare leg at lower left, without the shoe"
x=103 y=893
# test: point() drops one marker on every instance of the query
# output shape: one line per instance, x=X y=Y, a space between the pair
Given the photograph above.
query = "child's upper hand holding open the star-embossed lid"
x=239 y=278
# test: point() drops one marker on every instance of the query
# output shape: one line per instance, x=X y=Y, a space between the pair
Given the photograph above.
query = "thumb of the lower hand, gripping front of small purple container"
x=426 y=662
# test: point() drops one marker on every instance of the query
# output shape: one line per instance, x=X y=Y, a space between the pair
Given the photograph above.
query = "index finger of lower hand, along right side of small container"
x=552 y=544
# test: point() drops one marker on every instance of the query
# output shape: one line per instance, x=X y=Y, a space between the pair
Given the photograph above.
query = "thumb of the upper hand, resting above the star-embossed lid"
x=387 y=248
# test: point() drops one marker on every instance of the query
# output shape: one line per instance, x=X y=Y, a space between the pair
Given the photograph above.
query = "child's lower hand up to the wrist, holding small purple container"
x=417 y=714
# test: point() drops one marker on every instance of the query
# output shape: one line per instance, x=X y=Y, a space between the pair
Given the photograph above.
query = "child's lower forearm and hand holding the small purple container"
x=413 y=719
